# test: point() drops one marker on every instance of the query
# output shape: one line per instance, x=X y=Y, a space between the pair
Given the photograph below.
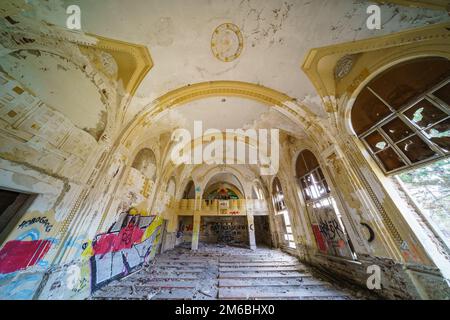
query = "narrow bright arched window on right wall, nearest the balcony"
x=282 y=212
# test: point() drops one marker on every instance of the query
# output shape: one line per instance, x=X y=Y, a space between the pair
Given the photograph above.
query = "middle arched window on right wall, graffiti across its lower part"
x=325 y=220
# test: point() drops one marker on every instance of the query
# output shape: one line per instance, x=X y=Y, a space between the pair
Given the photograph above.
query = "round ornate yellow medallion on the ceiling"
x=227 y=42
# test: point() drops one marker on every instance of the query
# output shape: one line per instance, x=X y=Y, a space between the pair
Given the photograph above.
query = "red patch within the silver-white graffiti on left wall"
x=113 y=242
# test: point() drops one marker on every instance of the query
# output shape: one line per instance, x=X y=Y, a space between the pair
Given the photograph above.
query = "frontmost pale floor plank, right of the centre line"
x=265 y=293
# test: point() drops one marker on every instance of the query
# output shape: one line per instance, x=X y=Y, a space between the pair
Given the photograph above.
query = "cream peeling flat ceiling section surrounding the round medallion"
x=276 y=35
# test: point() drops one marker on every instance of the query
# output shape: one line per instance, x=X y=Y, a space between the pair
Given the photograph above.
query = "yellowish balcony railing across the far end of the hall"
x=219 y=207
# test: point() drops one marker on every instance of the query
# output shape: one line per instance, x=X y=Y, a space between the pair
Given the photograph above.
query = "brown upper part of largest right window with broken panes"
x=403 y=116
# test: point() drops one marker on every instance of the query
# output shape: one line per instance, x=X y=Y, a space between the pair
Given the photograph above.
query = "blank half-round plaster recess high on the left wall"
x=60 y=85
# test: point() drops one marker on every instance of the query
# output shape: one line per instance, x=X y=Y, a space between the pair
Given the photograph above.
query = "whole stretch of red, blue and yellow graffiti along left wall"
x=24 y=260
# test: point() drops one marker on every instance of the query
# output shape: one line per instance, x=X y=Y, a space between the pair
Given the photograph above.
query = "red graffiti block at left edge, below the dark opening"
x=17 y=255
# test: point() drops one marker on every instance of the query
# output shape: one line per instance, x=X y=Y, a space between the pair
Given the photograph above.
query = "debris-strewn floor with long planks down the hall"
x=223 y=272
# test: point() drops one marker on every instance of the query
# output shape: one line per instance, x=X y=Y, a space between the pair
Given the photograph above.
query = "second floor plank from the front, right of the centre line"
x=304 y=282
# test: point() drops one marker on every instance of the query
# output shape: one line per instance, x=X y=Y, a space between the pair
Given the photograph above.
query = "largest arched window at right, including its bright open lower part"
x=403 y=118
